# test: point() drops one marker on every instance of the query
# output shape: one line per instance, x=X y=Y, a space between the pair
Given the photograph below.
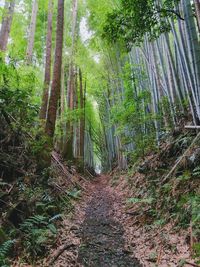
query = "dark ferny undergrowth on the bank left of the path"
x=33 y=221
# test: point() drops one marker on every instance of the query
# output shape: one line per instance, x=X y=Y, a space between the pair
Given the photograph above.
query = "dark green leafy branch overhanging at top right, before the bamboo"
x=133 y=19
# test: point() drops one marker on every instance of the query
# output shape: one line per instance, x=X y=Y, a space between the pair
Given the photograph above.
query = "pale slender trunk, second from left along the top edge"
x=29 y=51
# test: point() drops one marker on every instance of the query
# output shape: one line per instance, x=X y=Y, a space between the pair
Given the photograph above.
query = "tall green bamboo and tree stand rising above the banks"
x=111 y=79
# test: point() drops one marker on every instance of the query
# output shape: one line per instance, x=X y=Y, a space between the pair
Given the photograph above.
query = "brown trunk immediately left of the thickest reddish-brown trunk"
x=47 y=76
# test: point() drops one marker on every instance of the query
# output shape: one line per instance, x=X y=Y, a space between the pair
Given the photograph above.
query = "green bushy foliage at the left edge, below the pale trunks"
x=18 y=86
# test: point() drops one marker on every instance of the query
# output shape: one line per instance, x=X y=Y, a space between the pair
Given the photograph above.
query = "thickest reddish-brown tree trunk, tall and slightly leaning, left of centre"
x=55 y=89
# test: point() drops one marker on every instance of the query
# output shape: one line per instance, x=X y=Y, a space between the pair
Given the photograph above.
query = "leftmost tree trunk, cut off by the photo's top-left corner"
x=6 y=24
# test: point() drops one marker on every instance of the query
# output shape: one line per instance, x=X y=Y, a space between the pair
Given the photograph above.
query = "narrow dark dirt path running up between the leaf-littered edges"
x=102 y=242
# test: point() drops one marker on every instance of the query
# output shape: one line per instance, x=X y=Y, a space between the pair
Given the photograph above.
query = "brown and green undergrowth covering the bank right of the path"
x=177 y=199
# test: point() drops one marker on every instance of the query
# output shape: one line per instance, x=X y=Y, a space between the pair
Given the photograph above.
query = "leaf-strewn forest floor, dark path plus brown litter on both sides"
x=103 y=233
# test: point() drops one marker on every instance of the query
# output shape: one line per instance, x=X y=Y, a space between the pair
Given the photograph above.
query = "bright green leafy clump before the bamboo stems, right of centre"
x=133 y=114
